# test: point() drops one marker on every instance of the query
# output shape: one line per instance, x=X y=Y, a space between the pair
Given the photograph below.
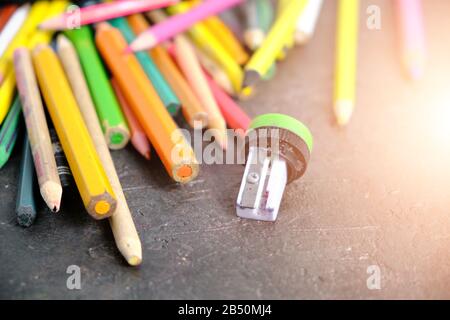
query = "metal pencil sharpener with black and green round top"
x=278 y=149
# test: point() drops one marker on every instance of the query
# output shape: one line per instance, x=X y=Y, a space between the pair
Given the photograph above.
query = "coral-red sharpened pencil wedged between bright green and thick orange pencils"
x=138 y=137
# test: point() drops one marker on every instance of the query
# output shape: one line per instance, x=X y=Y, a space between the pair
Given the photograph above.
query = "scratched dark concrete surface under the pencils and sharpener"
x=376 y=193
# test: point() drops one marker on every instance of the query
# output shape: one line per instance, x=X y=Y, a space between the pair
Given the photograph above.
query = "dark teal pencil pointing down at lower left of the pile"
x=25 y=205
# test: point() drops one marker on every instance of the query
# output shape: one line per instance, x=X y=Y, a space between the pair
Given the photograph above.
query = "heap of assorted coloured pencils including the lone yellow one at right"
x=90 y=79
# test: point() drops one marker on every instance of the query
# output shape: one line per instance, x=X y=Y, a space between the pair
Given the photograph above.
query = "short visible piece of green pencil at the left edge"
x=9 y=131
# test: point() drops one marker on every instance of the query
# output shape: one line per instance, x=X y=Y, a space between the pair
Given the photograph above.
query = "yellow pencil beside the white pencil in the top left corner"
x=37 y=12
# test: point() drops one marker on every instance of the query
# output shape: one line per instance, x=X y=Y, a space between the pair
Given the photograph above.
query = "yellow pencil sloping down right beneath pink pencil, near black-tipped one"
x=206 y=41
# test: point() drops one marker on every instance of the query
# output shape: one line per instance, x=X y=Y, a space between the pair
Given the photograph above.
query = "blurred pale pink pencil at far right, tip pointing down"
x=411 y=30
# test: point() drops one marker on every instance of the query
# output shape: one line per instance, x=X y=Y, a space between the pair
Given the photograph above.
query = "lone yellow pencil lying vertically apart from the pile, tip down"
x=346 y=60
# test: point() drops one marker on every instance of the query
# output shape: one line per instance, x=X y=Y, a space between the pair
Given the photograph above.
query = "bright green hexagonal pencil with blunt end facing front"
x=110 y=115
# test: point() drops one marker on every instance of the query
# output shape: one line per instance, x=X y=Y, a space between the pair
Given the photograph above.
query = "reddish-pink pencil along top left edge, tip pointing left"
x=102 y=12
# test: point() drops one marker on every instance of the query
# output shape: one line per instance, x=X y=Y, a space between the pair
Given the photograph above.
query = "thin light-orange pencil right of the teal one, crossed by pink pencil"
x=191 y=107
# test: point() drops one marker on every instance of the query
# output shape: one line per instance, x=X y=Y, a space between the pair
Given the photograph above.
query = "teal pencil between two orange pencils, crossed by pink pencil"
x=160 y=84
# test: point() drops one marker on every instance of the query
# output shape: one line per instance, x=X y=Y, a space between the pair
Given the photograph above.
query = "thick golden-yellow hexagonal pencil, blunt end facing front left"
x=91 y=180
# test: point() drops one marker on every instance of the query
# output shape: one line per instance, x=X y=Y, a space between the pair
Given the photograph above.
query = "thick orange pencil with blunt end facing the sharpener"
x=169 y=142
